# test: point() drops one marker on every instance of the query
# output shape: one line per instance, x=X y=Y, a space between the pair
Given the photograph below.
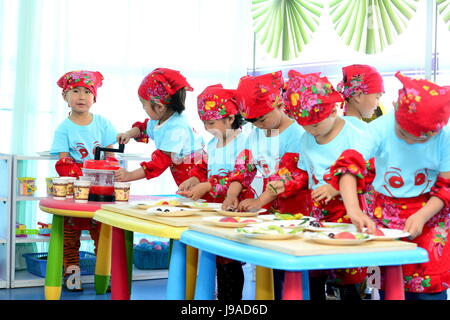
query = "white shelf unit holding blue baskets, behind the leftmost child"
x=22 y=278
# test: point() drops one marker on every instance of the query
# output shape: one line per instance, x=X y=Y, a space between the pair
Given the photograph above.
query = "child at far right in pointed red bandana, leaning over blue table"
x=412 y=196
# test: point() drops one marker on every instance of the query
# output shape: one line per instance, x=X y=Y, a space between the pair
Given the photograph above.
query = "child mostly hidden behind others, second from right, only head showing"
x=362 y=87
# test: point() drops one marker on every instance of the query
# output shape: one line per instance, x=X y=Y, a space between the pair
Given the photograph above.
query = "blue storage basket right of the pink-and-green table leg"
x=148 y=259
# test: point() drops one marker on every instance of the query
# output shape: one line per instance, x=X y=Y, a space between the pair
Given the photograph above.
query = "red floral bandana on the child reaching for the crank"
x=161 y=84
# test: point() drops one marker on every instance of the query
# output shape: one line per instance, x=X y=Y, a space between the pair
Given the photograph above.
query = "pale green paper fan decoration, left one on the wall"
x=285 y=27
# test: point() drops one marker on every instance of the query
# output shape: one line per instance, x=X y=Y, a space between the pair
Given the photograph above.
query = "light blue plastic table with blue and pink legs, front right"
x=227 y=243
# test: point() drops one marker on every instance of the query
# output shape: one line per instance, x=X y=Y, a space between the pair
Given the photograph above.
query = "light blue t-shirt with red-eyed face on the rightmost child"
x=405 y=170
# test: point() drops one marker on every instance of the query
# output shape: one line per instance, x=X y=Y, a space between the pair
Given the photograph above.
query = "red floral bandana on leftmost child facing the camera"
x=88 y=79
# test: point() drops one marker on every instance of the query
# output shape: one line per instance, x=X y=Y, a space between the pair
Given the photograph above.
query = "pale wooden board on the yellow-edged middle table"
x=185 y=221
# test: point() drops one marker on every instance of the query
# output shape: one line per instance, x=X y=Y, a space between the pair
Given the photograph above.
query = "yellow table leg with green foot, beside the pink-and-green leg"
x=103 y=263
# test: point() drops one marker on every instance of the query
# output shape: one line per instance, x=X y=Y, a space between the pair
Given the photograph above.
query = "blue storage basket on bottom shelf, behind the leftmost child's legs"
x=37 y=263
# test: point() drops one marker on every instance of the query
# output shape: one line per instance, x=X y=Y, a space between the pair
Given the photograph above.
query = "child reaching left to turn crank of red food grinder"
x=162 y=94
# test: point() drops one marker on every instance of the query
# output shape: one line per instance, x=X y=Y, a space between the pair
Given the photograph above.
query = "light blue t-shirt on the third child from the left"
x=222 y=160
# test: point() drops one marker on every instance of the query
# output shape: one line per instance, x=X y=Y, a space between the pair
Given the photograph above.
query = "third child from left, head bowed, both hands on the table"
x=229 y=173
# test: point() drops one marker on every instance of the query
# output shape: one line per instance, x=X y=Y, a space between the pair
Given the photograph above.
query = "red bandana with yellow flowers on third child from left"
x=215 y=103
